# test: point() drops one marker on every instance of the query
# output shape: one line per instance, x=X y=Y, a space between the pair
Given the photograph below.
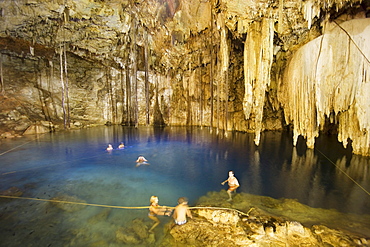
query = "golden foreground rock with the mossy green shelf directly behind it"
x=262 y=225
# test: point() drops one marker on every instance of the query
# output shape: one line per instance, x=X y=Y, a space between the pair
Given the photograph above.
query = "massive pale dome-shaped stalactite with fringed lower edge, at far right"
x=329 y=75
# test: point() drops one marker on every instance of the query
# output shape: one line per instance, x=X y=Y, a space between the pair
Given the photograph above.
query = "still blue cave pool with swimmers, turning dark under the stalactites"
x=182 y=162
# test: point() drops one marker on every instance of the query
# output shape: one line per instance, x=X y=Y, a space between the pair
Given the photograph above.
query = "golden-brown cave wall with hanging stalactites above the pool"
x=71 y=64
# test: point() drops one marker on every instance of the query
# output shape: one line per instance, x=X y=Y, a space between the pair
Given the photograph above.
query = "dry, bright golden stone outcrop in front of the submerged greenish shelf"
x=257 y=230
